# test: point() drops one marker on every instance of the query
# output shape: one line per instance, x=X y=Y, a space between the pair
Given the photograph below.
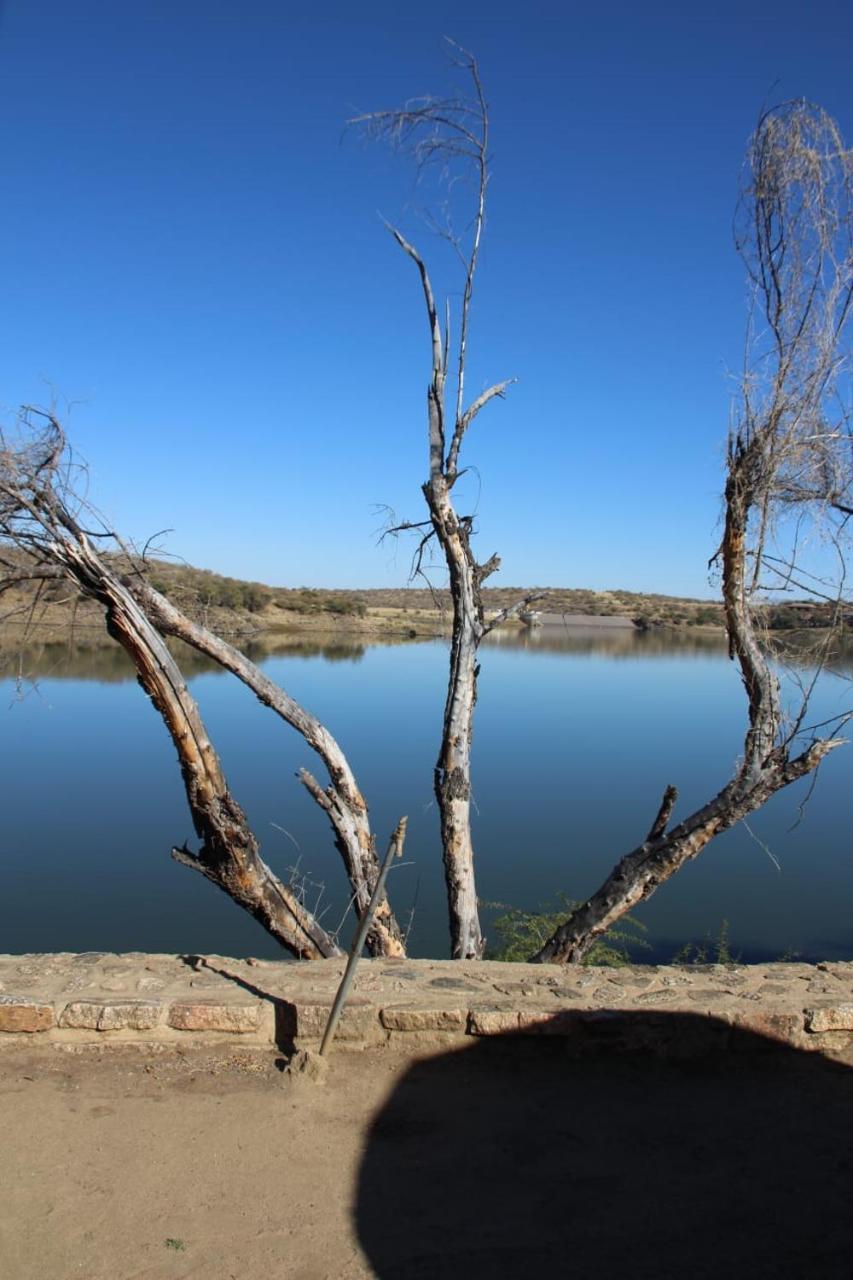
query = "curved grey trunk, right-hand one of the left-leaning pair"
x=343 y=801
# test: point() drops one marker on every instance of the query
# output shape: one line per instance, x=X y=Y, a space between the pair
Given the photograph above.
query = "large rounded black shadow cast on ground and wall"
x=668 y=1160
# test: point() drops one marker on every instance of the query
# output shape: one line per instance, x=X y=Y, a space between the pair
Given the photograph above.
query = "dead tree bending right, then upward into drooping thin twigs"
x=790 y=467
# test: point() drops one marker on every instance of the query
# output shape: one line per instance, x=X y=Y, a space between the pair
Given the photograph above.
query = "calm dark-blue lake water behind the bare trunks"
x=577 y=737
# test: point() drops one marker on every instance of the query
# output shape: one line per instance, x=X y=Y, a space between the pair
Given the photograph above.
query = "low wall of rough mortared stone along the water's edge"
x=422 y=1005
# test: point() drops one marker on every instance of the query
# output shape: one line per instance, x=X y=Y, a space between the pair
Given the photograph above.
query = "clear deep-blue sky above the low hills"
x=191 y=257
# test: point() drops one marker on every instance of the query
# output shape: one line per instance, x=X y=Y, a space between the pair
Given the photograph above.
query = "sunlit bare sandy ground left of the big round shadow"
x=171 y=1167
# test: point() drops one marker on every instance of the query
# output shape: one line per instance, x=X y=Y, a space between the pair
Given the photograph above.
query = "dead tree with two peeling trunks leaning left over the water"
x=42 y=518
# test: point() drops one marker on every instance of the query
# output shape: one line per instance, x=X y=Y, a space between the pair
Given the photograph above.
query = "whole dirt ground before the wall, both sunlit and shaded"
x=500 y=1160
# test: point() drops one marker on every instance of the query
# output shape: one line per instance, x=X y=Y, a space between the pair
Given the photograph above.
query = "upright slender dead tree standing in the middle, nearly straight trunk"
x=453 y=135
